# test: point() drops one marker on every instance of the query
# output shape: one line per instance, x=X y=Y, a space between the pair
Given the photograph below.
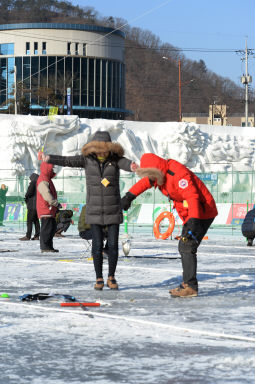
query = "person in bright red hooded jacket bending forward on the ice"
x=193 y=202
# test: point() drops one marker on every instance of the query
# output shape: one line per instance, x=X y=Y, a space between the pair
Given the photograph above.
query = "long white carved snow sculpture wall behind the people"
x=202 y=148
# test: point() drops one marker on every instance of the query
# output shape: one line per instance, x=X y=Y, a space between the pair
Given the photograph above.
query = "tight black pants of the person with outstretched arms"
x=98 y=235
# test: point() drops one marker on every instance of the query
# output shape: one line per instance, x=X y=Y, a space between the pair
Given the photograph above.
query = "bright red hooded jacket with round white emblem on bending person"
x=190 y=195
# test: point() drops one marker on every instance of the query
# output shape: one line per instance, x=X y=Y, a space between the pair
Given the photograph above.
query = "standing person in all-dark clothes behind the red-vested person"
x=32 y=217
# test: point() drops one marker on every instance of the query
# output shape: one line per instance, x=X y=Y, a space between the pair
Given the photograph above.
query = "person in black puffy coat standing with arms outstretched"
x=102 y=160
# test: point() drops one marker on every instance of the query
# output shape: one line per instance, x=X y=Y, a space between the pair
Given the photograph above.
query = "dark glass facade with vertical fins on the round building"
x=97 y=84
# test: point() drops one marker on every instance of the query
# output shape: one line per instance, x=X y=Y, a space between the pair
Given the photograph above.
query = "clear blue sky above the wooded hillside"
x=216 y=24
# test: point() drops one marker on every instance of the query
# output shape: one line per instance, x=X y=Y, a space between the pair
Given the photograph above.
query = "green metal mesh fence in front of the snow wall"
x=226 y=187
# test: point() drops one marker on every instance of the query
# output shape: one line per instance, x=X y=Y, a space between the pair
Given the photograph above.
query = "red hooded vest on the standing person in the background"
x=44 y=208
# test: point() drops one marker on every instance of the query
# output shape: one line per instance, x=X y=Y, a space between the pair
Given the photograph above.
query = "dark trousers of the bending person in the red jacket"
x=188 y=251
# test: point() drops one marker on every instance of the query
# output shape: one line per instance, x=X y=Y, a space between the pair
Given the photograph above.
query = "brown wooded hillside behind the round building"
x=152 y=82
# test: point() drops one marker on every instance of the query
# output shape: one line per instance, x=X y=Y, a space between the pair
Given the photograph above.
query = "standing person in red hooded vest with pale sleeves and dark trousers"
x=47 y=206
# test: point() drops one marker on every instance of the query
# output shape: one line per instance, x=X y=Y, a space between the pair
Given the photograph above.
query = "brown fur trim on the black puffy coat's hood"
x=96 y=147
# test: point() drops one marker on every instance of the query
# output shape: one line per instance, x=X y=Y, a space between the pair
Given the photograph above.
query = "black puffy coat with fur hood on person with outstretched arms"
x=103 y=202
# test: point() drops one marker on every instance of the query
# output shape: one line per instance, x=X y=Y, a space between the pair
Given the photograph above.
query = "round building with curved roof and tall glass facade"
x=78 y=67
